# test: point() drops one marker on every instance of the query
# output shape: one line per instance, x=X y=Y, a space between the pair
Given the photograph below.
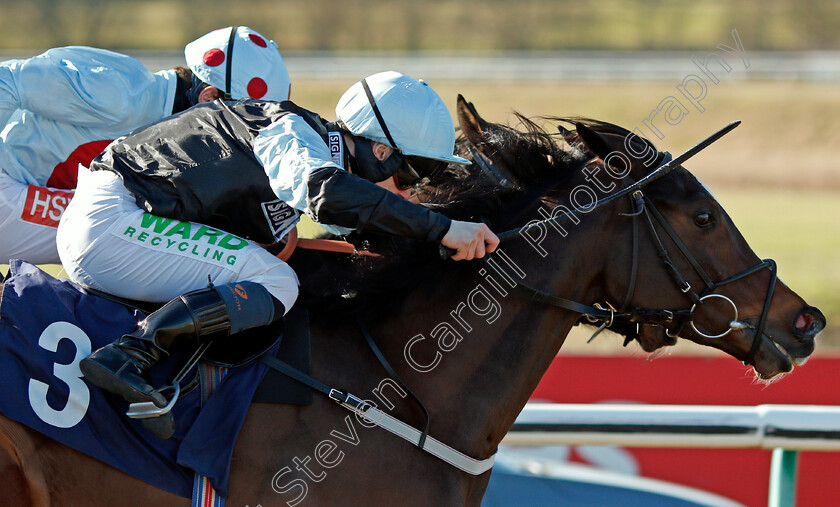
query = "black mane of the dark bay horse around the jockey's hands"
x=539 y=161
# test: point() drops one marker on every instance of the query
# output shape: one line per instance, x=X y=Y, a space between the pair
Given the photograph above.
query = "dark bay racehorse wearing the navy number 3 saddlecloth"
x=470 y=343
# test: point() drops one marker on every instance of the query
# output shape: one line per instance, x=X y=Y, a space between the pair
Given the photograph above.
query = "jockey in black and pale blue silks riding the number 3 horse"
x=166 y=209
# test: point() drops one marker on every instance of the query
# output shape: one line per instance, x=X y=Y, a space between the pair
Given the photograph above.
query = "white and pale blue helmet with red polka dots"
x=240 y=62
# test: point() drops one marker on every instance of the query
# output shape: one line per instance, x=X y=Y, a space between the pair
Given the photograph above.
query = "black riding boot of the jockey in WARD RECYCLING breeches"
x=122 y=366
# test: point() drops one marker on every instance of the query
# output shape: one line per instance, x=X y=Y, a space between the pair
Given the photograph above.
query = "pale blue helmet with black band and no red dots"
x=412 y=112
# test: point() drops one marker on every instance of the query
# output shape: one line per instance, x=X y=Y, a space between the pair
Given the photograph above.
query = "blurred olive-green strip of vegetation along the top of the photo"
x=426 y=25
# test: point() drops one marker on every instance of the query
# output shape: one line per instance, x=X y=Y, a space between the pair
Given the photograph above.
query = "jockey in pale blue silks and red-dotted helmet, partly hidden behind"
x=61 y=108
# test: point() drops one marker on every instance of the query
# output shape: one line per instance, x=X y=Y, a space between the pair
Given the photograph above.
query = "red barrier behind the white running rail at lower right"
x=739 y=474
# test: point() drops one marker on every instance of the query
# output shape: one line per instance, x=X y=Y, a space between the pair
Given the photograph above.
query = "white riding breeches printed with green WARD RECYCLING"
x=108 y=243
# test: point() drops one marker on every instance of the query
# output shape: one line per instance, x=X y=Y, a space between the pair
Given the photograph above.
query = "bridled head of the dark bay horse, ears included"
x=691 y=271
